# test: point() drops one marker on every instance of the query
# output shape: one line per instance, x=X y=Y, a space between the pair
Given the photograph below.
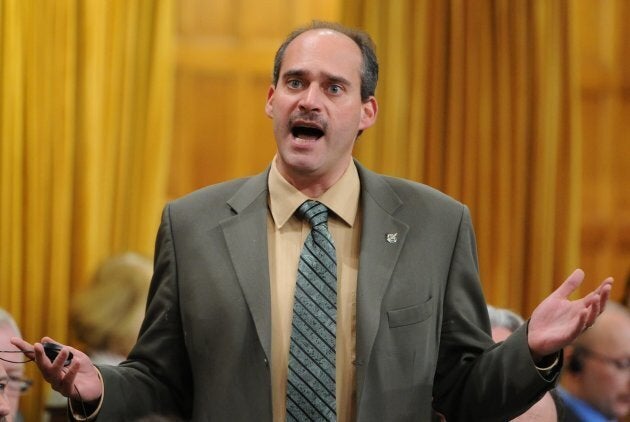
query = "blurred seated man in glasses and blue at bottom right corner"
x=595 y=383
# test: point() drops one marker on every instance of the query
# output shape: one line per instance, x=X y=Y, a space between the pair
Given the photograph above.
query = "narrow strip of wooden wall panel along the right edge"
x=605 y=88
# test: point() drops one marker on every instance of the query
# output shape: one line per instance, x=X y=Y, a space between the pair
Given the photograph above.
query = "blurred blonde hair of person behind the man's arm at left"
x=106 y=317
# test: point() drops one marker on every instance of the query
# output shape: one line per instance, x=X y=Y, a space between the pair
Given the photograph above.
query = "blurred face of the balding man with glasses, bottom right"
x=602 y=384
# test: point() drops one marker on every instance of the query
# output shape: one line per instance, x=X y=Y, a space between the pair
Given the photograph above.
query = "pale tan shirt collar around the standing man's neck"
x=342 y=198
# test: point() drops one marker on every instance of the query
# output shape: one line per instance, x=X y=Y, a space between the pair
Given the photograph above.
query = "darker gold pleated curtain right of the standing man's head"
x=479 y=99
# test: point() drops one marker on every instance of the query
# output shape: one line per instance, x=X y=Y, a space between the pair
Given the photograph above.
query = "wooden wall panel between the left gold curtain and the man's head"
x=225 y=52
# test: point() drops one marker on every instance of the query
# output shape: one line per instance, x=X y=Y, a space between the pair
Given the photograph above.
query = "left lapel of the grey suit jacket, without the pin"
x=246 y=238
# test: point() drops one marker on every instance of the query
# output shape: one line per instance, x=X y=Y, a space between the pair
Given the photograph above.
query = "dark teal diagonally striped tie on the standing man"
x=311 y=378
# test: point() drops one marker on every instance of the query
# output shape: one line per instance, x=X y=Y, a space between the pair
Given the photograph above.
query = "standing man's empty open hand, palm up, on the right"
x=557 y=321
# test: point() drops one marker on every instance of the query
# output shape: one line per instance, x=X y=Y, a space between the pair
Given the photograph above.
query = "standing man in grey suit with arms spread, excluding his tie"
x=412 y=329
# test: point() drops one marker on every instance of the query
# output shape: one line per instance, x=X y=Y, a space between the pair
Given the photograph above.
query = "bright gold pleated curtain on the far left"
x=85 y=125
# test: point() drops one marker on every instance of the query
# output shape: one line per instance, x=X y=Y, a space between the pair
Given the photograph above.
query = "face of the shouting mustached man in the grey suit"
x=316 y=107
